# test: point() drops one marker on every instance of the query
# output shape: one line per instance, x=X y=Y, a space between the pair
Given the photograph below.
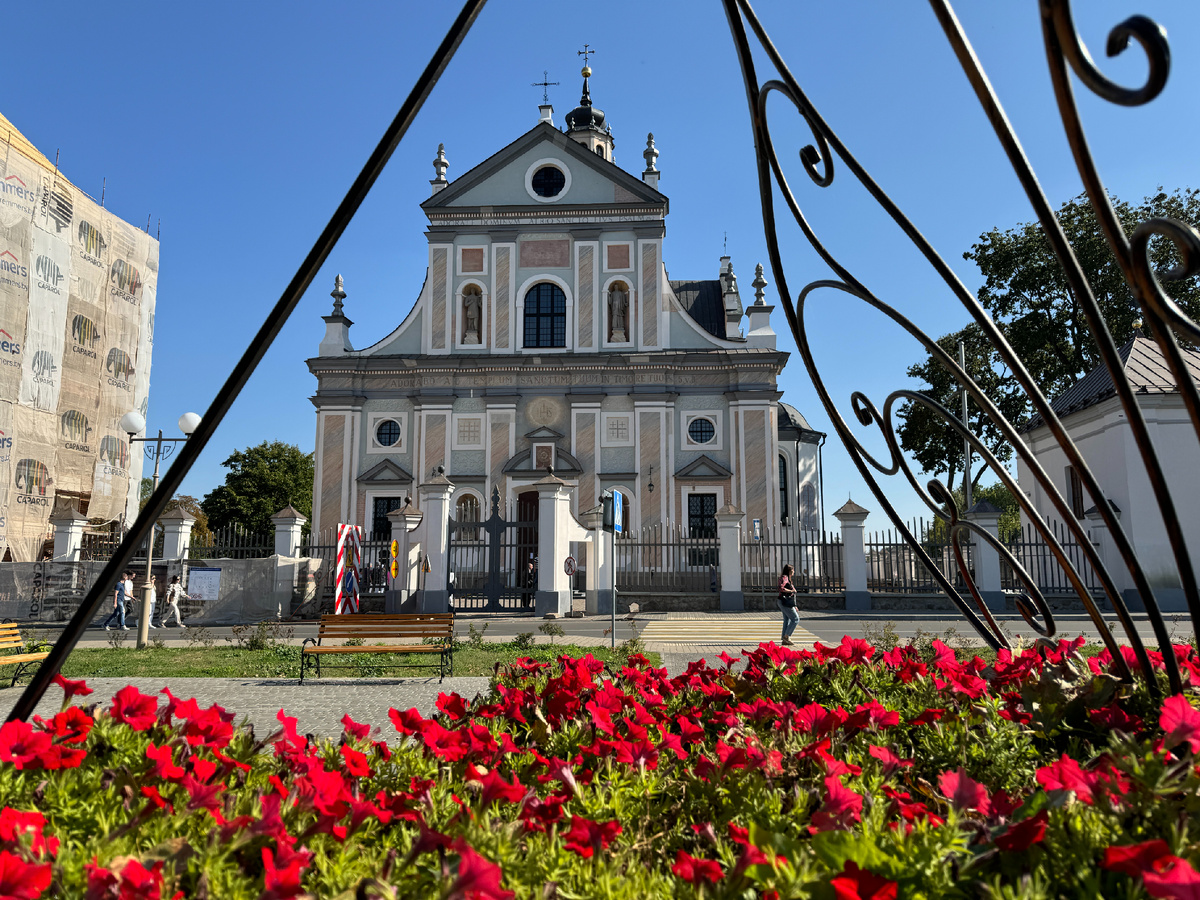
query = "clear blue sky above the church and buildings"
x=239 y=127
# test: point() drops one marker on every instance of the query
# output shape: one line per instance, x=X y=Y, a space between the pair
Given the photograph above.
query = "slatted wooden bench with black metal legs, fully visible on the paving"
x=374 y=629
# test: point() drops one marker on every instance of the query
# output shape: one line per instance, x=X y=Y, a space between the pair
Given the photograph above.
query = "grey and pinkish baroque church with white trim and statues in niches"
x=549 y=334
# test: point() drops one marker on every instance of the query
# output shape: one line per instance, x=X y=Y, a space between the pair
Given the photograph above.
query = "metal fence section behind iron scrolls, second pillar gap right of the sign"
x=893 y=567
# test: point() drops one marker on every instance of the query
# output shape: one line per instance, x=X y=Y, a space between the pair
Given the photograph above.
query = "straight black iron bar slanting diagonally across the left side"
x=254 y=355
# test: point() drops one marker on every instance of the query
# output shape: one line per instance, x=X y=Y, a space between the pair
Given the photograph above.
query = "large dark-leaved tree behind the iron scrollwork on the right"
x=1028 y=296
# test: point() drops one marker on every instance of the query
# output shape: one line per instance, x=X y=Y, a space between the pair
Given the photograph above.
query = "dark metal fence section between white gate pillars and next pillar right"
x=667 y=560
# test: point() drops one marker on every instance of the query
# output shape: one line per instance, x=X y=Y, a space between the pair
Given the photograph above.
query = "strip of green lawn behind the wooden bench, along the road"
x=284 y=662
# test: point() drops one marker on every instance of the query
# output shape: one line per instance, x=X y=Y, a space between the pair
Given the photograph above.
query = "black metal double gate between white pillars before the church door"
x=490 y=561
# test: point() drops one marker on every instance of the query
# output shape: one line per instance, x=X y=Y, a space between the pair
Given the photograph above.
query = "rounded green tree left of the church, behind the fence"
x=262 y=481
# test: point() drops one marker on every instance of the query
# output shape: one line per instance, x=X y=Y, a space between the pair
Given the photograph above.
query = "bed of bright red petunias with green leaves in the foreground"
x=838 y=773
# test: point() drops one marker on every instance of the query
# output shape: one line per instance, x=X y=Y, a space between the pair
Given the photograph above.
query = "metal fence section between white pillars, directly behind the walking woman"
x=815 y=556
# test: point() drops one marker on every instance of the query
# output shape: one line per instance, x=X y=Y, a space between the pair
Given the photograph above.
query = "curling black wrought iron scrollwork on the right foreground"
x=1064 y=49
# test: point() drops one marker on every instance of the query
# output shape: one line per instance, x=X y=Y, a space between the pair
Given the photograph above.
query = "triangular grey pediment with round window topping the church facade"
x=503 y=179
